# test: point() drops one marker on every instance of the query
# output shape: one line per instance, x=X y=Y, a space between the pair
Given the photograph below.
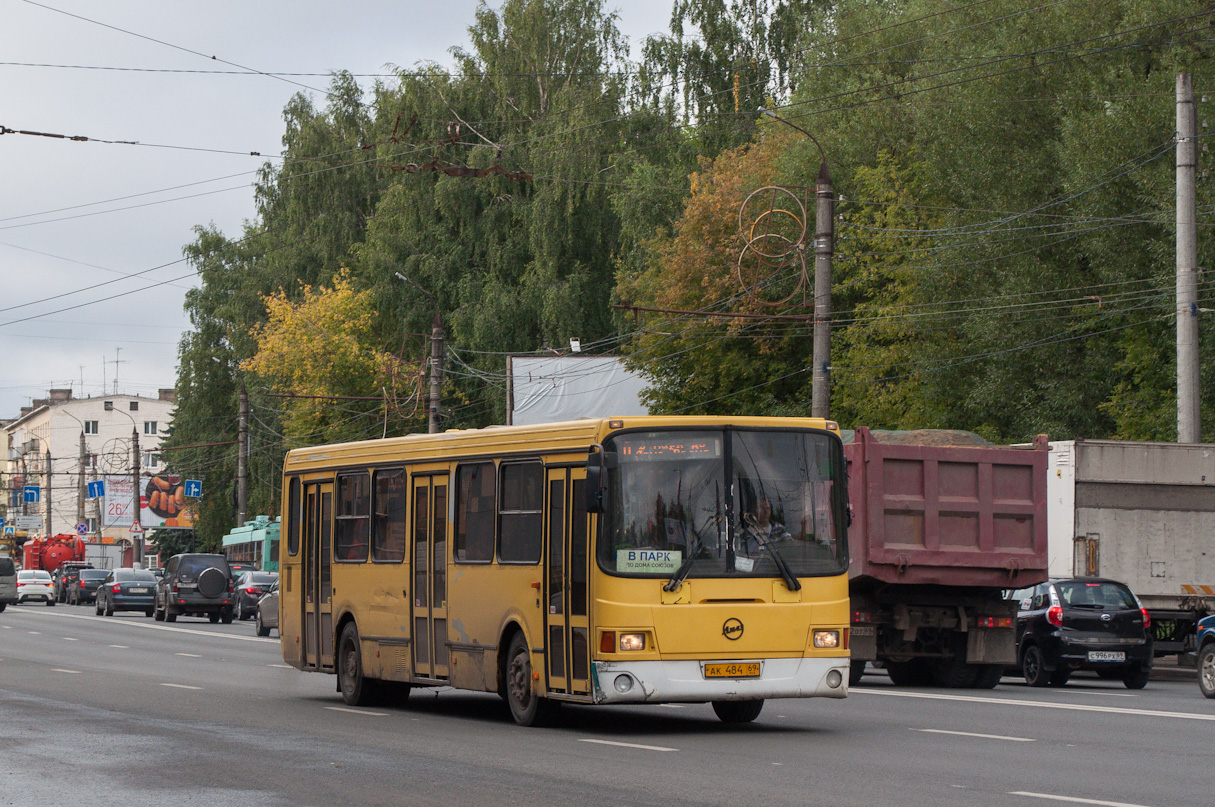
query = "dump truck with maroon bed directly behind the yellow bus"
x=943 y=524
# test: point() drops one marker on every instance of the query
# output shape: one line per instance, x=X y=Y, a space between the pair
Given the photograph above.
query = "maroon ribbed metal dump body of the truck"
x=933 y=515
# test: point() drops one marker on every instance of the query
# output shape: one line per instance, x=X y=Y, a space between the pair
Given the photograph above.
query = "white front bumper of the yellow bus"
x=664 y=682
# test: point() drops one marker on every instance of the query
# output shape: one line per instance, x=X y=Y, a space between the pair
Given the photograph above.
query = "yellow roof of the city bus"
x=549 y=438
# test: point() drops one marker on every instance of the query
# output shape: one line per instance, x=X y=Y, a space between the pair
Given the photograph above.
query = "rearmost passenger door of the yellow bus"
x=317 y=574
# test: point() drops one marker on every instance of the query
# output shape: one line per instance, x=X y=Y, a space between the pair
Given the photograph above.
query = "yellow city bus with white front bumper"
x=626 y=561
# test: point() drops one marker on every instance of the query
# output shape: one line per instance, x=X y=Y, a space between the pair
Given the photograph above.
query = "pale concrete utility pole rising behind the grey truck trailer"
x=1188 y=264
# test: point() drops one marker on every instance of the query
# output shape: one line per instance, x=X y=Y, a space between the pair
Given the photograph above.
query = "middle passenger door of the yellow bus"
x=431 y=651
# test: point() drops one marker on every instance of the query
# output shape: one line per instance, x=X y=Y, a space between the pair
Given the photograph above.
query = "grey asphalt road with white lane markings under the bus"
x=131 y=712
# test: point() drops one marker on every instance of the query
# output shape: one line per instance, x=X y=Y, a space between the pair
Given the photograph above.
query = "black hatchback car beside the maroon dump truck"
x=1083 y=624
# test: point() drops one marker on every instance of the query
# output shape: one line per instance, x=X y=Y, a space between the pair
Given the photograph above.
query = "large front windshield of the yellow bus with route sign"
x=732 y=503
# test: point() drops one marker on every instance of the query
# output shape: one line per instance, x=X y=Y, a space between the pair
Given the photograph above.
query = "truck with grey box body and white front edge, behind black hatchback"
x=1141 y=513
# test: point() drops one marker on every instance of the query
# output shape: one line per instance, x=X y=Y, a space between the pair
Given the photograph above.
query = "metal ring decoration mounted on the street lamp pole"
x=772 y=264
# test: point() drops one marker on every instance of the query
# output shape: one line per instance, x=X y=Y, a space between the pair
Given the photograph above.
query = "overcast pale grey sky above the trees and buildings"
x=76 y=218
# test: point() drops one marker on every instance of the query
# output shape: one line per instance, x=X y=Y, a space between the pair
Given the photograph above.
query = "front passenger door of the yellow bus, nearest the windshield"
x=568 y=625
